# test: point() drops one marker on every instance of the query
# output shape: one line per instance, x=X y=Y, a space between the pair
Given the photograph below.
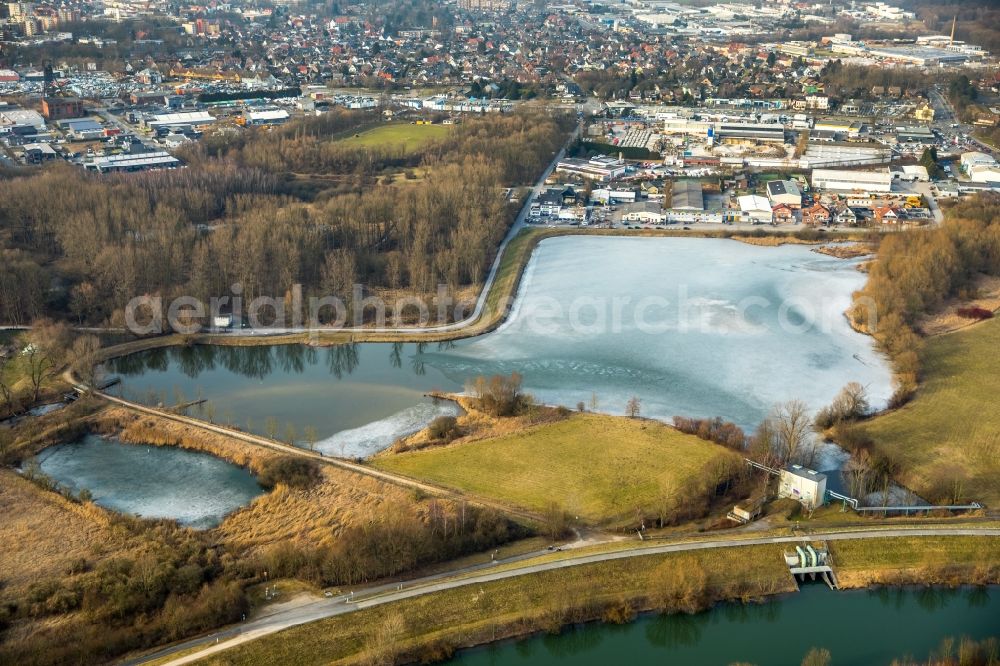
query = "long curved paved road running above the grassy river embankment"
x=311 y=612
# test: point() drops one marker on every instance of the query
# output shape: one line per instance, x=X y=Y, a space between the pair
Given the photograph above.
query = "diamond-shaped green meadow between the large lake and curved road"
x=599 y=468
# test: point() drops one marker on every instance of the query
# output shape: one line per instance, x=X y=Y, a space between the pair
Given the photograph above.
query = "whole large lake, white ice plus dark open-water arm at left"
x=694 y=327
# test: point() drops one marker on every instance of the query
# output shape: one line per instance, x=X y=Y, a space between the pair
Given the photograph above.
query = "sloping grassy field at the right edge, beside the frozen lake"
x=948 y=438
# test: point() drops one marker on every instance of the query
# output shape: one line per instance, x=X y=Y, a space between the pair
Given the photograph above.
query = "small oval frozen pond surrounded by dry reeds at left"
x=196 y=489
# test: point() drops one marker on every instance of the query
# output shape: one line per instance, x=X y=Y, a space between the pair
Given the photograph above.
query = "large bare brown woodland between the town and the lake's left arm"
x=268 y=210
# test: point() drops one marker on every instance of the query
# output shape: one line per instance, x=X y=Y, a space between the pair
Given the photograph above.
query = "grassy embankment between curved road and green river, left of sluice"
x=467 y=616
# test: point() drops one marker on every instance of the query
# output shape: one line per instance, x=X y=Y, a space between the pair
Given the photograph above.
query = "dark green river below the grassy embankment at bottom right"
x=858 y=627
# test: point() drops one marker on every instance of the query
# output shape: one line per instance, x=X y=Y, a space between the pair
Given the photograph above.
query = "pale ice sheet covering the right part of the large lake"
x=694 y=327
